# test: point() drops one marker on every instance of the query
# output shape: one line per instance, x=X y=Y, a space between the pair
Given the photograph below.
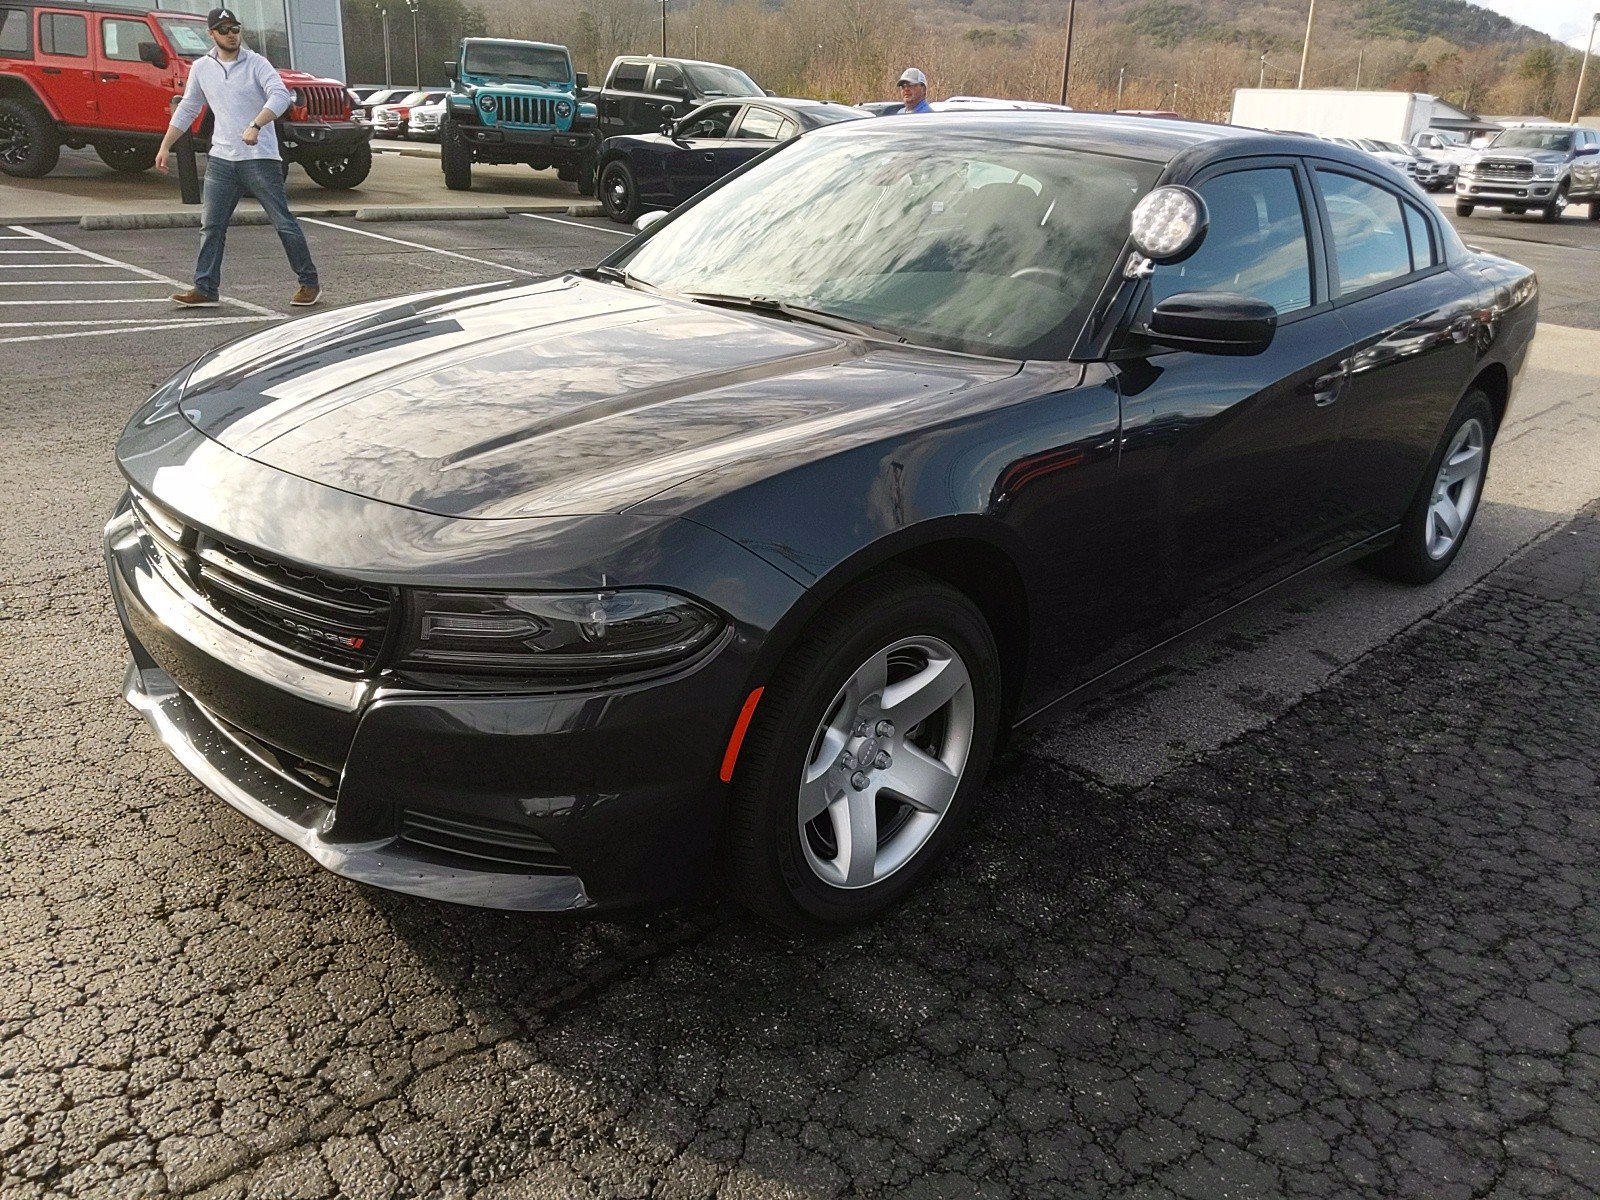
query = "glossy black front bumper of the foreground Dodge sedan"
x=532 y=802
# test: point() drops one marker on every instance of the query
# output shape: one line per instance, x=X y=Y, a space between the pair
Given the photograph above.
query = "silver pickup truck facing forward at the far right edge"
x=1534 y=169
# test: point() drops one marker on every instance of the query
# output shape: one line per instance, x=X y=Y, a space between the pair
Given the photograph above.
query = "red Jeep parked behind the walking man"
x=108 y=76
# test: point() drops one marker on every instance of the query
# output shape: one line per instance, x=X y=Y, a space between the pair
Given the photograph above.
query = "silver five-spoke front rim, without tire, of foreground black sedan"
x=886 y=762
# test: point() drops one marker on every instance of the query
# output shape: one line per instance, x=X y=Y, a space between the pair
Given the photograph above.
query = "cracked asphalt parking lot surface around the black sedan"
x=1310 y=910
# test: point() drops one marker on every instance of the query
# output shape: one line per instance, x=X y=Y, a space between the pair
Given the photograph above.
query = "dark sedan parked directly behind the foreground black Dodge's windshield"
x=663 y=170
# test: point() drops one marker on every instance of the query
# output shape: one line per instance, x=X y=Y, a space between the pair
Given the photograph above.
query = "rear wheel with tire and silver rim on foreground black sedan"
x=1417 y=556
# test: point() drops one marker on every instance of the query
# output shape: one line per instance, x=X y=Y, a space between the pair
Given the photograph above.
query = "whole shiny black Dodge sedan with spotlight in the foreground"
x=735 y=556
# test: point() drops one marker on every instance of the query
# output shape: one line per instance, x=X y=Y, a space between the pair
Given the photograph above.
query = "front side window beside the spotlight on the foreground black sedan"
x=1257 y=244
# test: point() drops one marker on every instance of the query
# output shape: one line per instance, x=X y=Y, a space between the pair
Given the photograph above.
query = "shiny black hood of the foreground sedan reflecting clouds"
x=562 y=398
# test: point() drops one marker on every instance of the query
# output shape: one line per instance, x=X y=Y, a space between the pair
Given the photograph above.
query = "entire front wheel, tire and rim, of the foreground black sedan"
x=820 y=706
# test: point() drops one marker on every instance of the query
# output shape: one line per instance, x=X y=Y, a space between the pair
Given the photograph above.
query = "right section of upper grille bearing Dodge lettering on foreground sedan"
x=321 y=617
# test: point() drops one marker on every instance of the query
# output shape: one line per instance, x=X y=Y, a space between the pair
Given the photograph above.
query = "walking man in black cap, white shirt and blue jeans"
x=247 y=97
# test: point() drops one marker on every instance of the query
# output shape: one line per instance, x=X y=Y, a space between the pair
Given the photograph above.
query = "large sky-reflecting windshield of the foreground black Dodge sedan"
x=961 y=242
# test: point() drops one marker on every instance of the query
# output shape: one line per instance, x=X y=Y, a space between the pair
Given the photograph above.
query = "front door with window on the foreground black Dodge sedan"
x=1236 y=455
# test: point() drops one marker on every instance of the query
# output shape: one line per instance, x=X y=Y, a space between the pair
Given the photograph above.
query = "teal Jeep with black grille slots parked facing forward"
x=518 y=103
